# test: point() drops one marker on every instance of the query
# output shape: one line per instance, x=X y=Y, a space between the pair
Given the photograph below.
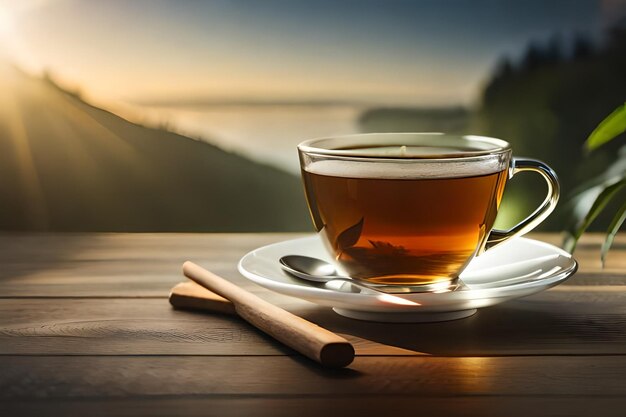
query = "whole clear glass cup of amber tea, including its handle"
x=411 y=210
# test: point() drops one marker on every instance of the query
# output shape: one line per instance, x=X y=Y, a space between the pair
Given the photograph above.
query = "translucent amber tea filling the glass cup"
x=406 y=231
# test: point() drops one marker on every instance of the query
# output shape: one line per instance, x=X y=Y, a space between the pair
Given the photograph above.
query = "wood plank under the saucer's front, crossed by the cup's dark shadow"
x=552 y=322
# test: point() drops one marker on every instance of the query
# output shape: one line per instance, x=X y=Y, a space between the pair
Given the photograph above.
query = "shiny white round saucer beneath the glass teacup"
x=512 y=270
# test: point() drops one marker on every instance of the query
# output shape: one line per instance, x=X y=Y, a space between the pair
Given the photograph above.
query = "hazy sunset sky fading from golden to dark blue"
x=424 y=52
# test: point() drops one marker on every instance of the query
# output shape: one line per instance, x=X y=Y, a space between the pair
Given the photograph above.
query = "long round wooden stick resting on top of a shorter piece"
x=307 y=338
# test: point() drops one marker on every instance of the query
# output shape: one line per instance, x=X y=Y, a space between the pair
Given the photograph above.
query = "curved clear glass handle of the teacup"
x=520 y=165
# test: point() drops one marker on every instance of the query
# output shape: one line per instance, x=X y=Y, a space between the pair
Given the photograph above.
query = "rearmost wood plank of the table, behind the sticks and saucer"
x=148 y=265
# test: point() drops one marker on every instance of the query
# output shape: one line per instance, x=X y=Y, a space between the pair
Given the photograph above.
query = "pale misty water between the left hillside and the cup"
x=266 y=133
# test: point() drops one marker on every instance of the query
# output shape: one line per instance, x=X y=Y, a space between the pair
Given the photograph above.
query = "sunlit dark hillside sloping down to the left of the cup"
x=66 y=165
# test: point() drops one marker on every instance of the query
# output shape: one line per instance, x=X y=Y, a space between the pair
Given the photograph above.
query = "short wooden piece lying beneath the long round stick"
x=189 y=295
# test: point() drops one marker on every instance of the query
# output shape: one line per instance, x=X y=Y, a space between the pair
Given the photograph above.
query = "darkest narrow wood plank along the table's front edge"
x=363 y=406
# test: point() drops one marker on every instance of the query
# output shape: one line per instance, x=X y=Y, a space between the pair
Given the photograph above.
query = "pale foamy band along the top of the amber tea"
x=412 y=162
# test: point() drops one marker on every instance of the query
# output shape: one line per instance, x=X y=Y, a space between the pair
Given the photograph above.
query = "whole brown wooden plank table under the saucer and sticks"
x=86 y=329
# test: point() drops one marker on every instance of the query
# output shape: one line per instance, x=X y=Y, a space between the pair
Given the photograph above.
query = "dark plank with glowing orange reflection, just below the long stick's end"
x=72 y=377
